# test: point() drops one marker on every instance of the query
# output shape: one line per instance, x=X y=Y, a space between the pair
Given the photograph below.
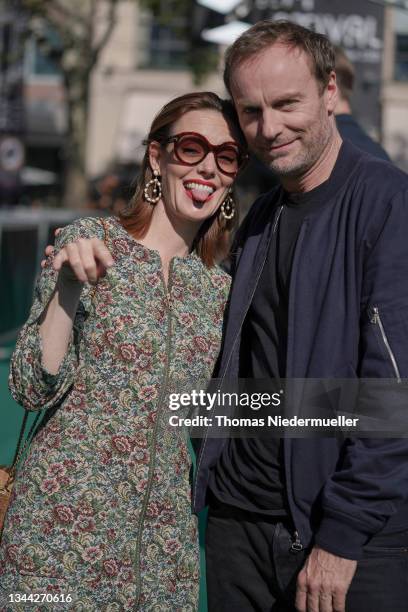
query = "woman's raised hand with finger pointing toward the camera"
x=86 y=260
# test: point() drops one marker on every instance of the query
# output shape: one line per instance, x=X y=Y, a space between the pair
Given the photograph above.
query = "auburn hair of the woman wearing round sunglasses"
x=213 y=237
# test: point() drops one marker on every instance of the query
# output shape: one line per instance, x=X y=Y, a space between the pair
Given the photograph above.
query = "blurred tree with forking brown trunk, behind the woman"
x=83 y=28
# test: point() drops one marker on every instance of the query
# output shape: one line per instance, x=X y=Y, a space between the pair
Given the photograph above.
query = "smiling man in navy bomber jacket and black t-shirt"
x=319 y=290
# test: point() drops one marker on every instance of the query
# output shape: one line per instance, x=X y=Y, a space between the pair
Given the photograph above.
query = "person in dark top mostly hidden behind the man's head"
x=347 y=126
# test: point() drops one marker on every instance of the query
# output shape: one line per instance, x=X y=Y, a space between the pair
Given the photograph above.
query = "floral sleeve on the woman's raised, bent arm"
x=30 y=384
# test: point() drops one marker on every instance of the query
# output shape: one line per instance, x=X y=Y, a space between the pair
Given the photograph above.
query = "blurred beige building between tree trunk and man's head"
x=143 y=66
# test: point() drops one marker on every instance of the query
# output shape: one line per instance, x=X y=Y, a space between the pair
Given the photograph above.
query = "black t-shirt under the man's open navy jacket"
x=250 y=473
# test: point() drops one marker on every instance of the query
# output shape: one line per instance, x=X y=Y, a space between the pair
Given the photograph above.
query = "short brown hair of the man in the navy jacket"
x=266 y=33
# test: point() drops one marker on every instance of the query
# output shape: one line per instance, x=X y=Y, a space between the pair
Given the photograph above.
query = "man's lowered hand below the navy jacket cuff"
x=323 y=583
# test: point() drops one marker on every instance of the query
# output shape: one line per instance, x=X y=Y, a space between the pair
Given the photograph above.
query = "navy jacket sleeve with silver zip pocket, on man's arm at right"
x=371 y=482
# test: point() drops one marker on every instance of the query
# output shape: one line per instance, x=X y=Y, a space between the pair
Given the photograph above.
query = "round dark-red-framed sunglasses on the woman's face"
x=190 y=148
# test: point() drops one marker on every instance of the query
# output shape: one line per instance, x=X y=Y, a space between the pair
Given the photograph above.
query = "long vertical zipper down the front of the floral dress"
x=143 y=511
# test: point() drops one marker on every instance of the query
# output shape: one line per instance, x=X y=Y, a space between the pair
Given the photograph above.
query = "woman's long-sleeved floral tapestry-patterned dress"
x=101 y=506
